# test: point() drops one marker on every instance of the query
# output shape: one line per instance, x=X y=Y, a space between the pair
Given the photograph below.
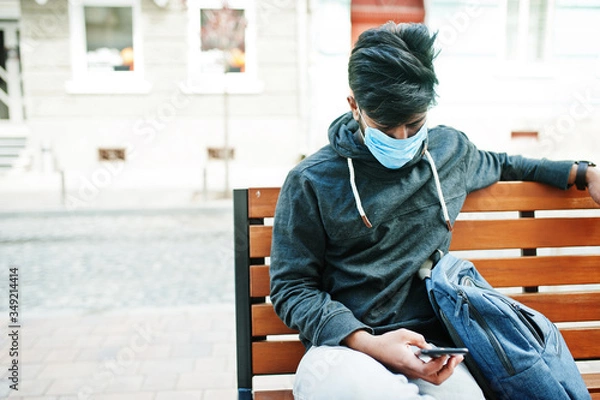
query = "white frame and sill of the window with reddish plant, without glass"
x=232 y=82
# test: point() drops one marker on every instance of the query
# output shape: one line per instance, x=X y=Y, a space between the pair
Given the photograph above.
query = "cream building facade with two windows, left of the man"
x=132 y=94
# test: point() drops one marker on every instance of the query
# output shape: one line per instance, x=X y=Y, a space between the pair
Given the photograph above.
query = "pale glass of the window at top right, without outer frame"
x=527 y=30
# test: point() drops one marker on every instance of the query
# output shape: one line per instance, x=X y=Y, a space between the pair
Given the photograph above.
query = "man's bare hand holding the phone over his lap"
x=393 y=349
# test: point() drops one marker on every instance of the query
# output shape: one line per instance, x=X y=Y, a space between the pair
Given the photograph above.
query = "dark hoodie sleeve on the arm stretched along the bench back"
x=485 y=168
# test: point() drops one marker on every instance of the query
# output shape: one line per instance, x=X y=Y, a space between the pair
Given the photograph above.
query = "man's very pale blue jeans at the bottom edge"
x=330 y=373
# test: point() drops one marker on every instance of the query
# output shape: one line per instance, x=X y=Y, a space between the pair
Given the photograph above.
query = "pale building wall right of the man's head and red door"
x=522 y=76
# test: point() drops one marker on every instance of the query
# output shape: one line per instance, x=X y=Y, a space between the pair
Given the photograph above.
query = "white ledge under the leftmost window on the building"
x=108 y=86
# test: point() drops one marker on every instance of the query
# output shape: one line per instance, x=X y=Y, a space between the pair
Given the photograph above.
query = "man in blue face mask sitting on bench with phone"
x=357 y=219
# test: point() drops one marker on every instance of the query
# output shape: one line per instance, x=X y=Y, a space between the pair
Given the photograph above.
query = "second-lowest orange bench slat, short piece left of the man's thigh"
x=276 y=357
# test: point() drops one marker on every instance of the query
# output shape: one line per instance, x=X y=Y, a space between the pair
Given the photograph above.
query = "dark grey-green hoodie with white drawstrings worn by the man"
x=331 y=274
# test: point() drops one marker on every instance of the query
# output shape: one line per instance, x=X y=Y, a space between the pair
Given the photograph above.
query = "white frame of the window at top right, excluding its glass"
x=521 y=65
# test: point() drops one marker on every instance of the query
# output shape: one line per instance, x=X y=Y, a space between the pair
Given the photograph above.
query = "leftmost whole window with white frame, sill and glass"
x=106 y=53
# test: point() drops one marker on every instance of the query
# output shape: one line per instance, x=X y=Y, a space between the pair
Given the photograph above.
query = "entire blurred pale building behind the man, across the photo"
x=102 y=96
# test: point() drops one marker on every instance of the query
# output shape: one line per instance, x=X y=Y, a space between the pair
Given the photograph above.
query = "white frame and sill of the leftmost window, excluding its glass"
x=90 y=82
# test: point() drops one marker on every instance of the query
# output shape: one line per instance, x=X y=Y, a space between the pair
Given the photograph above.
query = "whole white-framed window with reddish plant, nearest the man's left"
x=222 y=47
